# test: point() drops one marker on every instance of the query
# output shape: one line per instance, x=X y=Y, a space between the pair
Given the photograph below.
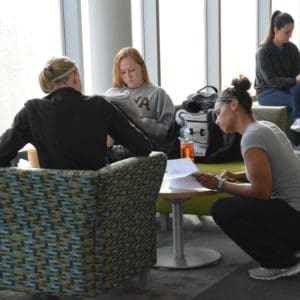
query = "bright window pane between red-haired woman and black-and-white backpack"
x=182 y=47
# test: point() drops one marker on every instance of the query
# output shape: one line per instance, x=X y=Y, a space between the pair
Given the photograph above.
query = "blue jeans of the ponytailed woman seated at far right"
x=290 y=99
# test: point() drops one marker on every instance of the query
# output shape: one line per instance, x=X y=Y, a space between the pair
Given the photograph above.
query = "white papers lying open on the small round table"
x=179 y=172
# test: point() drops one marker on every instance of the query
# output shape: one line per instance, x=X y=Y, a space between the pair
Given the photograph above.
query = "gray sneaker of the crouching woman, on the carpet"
x=271 y=274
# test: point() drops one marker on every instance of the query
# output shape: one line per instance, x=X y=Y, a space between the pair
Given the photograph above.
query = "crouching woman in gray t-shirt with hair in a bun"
x=263 y=217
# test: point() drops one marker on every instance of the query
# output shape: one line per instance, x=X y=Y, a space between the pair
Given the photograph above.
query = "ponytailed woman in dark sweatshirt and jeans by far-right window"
x=277 y=79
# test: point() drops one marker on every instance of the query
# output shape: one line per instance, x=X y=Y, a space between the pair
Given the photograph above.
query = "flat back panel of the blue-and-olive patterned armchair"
x=47 y=230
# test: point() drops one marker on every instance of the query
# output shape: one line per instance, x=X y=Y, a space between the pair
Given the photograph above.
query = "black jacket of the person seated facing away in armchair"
x=69 y=131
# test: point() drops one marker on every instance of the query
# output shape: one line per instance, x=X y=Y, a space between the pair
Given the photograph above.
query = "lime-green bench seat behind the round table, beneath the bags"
x=202 y=205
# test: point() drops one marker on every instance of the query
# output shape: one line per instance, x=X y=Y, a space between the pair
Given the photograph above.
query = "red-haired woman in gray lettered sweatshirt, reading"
x=130 y=76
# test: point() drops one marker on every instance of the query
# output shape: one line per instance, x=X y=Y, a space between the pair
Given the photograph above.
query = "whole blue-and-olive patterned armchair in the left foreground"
x=78 y=232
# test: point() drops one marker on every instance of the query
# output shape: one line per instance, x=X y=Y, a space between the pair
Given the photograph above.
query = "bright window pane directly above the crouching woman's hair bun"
x=238 y=40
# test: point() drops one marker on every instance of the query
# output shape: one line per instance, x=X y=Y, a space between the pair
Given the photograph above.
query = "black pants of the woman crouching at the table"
x=268 y=230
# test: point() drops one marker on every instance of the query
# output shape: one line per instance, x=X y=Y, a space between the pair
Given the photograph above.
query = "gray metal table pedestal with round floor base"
x=178 y=257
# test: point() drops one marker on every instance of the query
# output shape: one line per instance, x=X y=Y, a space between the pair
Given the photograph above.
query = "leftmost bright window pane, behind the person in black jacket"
x=30 y=34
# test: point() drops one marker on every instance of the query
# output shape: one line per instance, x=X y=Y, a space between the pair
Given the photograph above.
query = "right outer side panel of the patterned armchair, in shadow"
x=129 y=189
